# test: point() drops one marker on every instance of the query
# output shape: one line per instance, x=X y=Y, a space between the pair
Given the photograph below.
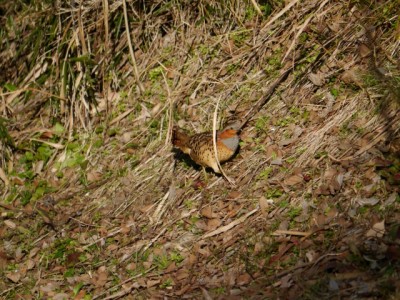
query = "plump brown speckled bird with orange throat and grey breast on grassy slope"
x=200 y=146
